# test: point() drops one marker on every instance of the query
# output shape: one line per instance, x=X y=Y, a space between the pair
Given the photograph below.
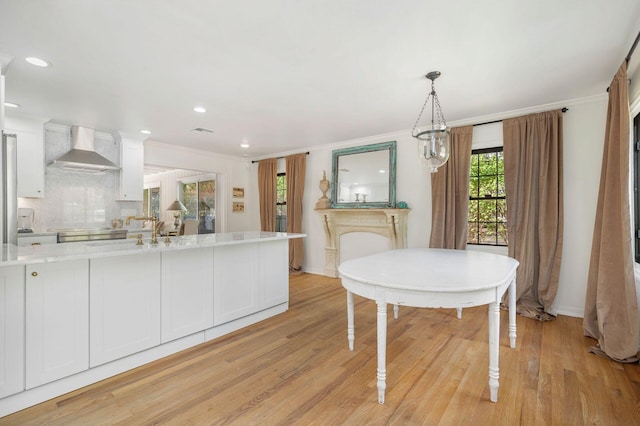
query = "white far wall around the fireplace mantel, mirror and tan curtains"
x=584 y=126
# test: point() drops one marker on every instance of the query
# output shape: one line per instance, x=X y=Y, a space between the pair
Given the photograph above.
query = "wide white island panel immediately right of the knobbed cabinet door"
x=124 y=306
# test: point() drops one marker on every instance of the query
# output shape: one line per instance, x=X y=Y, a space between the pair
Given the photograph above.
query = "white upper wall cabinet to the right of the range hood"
x=131 y=170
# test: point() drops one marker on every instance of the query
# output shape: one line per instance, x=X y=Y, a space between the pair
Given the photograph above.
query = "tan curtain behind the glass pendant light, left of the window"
x=450 y=194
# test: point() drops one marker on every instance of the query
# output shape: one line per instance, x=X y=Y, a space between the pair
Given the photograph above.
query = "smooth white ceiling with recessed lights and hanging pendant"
x=286 y=75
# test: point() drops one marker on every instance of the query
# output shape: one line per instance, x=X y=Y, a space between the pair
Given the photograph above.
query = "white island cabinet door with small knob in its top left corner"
x=57 y=320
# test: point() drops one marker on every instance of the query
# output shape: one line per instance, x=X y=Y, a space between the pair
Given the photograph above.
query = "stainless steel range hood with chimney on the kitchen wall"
x=83 y=156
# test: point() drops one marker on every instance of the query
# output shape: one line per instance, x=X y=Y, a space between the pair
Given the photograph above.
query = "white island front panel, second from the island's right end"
x=236 y=282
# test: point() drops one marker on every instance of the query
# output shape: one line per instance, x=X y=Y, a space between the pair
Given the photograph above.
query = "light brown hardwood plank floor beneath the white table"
x=296 y=369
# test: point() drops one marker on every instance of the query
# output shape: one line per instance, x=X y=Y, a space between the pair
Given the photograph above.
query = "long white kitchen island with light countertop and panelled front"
x=74 y=314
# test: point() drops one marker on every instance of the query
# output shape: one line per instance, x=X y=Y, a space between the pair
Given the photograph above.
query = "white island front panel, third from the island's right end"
x=187 y=292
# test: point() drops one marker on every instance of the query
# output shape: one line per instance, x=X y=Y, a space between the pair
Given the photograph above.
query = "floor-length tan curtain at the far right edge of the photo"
x=611 y=307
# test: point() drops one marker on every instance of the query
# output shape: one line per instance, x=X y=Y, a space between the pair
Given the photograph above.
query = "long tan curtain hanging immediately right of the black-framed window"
x=533 y=184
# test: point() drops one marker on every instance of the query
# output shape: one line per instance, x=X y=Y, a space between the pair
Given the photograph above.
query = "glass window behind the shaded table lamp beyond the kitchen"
x=199 y=197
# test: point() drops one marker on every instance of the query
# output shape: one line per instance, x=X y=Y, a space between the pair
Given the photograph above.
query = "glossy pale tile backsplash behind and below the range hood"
x=76 y=199
